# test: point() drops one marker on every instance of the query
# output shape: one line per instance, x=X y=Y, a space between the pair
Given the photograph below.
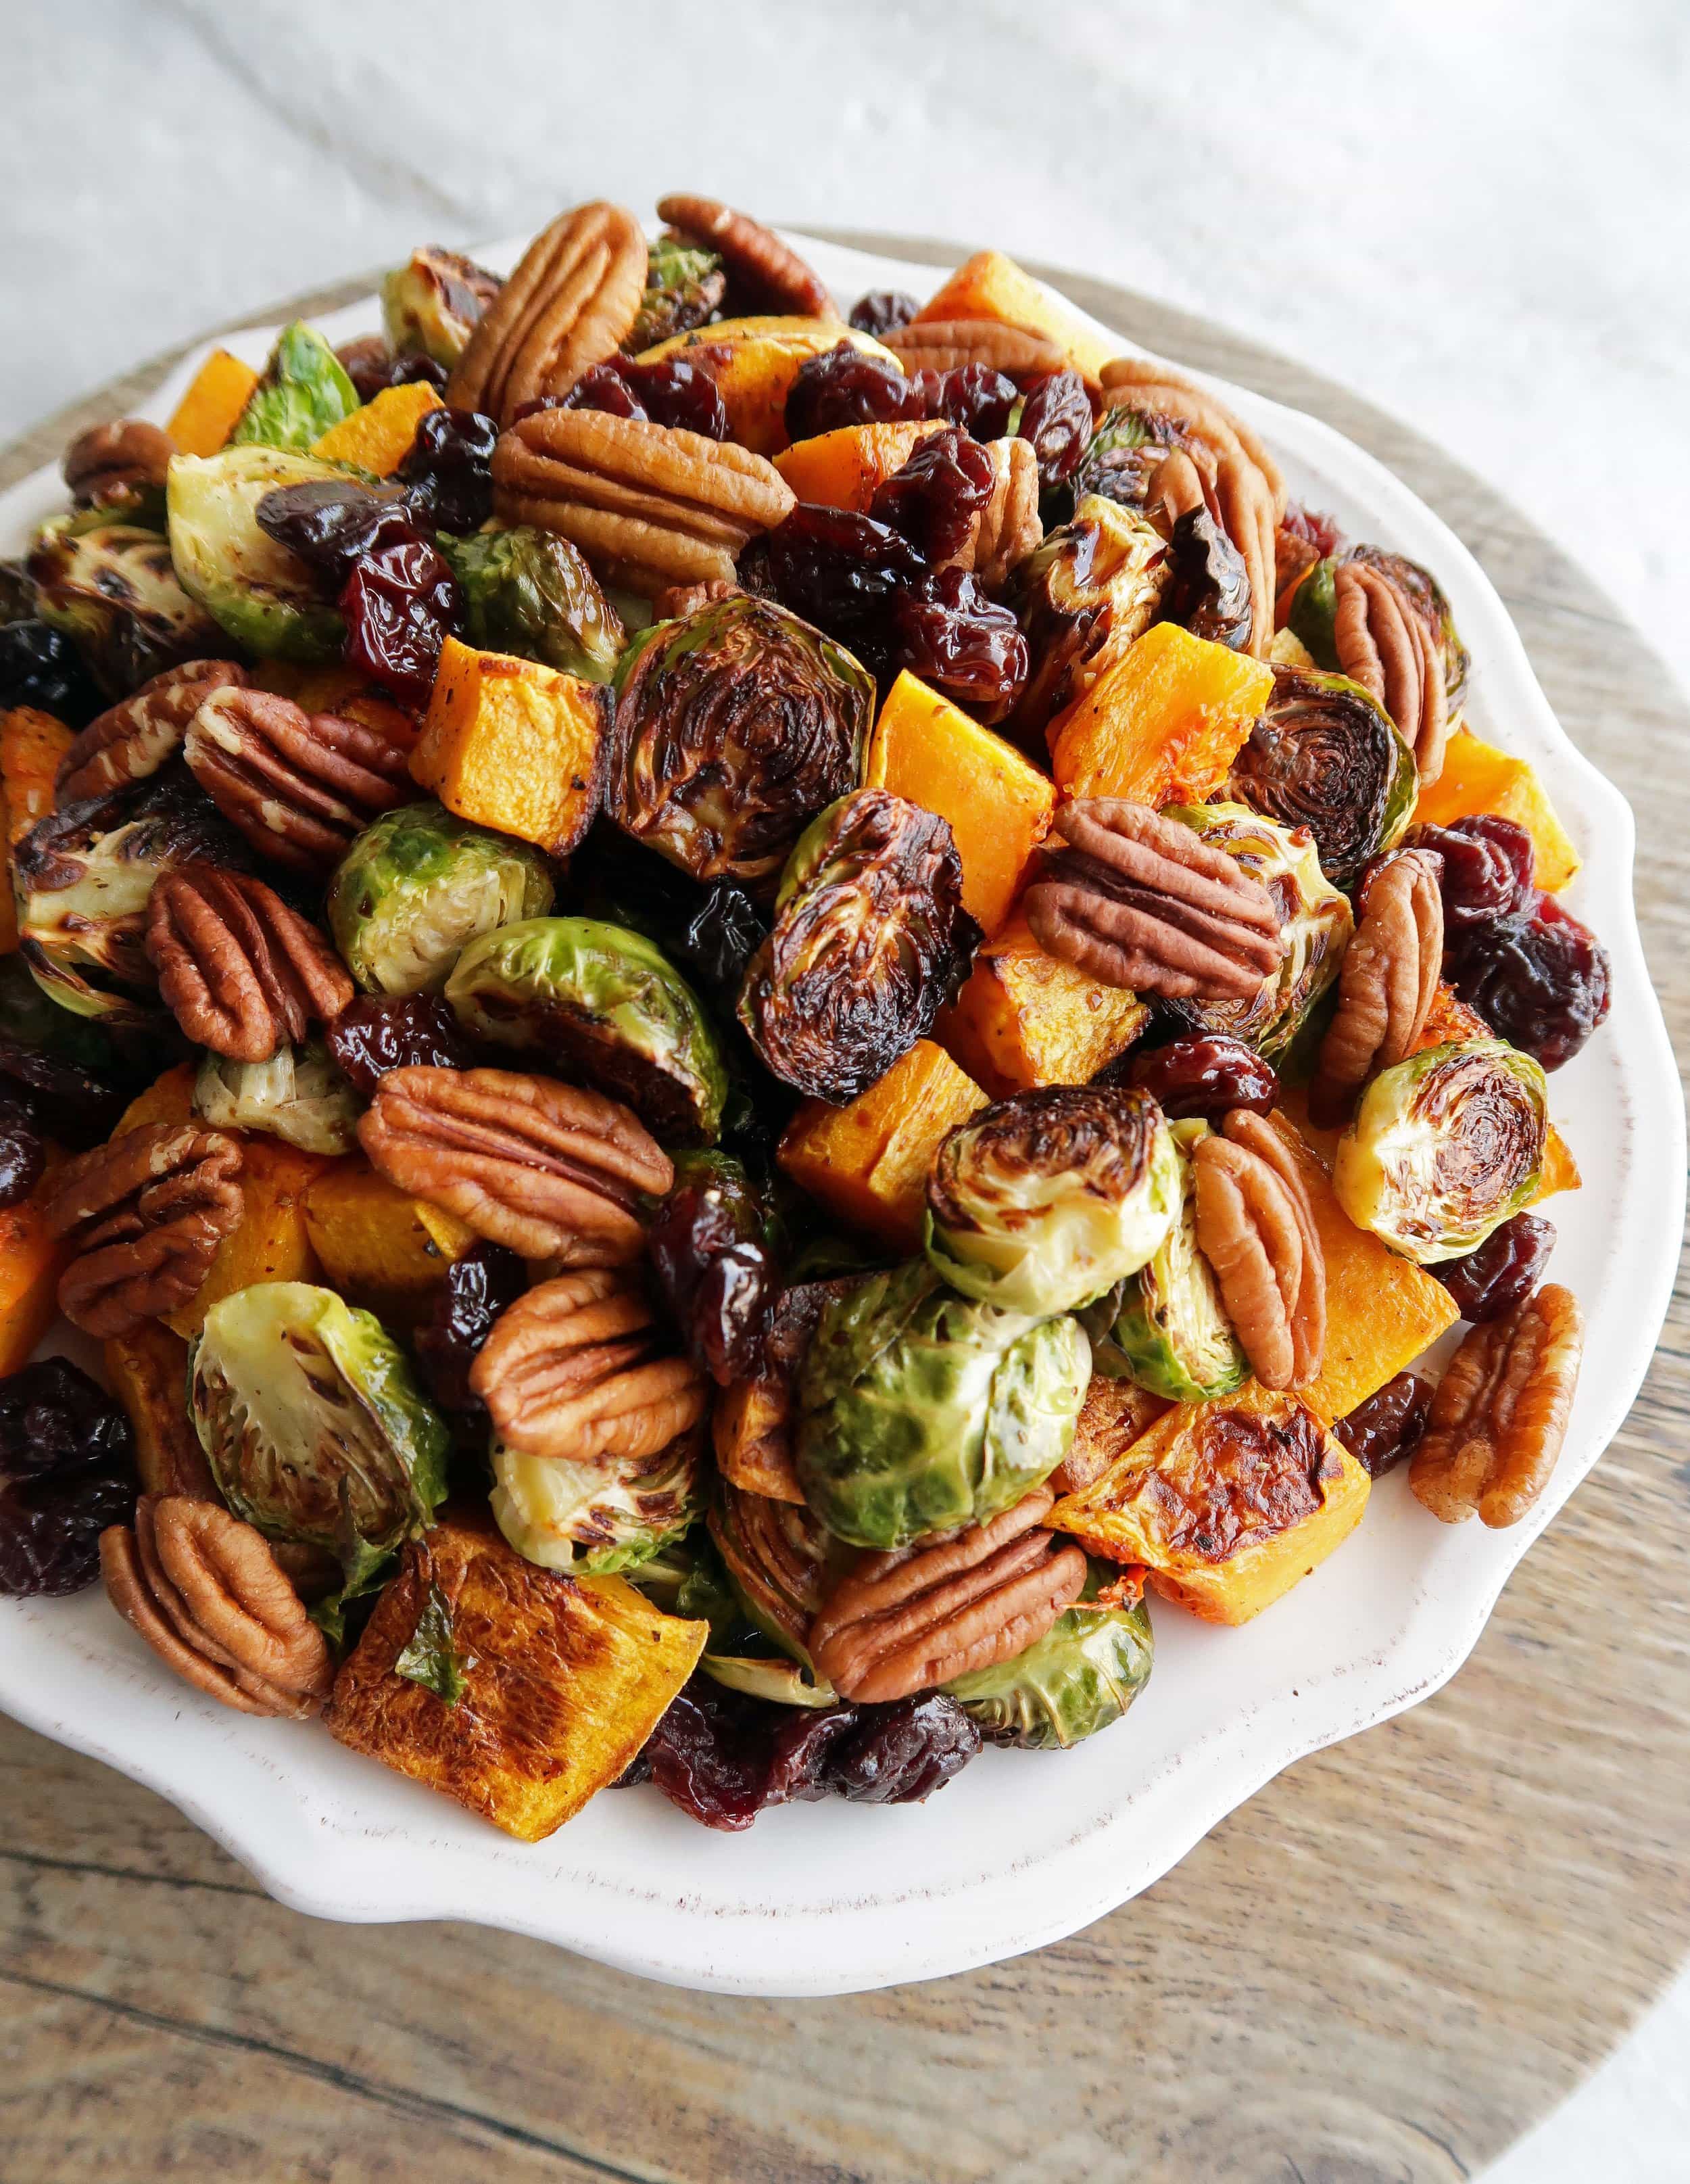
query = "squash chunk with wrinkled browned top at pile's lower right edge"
x=1226 y=1504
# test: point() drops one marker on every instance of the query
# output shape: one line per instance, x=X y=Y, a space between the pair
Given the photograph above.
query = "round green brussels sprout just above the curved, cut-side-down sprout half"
x=418 y=886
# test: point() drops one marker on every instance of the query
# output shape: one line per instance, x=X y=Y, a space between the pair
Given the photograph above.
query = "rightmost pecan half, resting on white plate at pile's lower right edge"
x=1501 y=1412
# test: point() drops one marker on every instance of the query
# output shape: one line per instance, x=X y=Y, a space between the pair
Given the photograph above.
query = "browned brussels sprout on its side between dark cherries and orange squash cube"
x=1082 y=600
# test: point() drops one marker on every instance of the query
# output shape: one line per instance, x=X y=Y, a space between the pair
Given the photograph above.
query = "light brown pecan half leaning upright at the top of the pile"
x=564 y=309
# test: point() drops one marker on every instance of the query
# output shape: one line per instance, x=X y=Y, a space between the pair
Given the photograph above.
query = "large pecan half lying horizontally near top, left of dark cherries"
x=647 y=503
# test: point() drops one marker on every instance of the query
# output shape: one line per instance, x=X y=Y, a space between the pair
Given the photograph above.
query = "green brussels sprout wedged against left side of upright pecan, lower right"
x=1167 y=1327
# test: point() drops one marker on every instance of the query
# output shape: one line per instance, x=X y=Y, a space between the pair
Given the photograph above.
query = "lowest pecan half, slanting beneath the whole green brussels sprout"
x=923 y=1615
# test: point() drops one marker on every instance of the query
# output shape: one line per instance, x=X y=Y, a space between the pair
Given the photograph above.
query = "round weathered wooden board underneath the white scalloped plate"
x=1381 y=1971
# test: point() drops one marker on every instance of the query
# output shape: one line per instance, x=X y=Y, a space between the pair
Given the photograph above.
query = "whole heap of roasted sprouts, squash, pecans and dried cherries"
x=733 y=1019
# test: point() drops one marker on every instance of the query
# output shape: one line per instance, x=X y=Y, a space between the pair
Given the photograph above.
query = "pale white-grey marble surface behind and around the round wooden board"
x=1473 y=211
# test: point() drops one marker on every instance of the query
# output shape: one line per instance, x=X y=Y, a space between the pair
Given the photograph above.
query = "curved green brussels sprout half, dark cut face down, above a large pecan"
x=604 y=1004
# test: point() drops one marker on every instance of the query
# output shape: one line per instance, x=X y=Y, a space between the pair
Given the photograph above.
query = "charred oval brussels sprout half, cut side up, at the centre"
x=870 y=942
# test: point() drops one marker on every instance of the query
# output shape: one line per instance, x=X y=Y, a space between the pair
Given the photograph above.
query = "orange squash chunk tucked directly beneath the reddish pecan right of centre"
x=1027 y=1019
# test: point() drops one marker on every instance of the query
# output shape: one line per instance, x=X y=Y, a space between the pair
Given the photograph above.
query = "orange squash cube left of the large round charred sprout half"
x=514 y=746
